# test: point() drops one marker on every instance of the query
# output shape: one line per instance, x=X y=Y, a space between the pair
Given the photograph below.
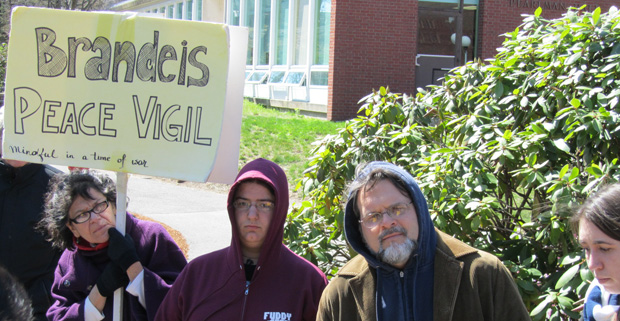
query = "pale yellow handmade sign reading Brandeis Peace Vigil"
x=122 y=92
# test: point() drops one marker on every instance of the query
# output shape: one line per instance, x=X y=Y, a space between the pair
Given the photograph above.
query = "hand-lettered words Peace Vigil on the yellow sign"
x=173 y=123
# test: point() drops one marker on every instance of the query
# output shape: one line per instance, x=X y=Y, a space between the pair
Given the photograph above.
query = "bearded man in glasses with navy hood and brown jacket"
x=406 y=269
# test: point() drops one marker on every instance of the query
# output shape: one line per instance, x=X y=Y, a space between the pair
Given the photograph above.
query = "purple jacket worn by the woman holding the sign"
x=78 y=271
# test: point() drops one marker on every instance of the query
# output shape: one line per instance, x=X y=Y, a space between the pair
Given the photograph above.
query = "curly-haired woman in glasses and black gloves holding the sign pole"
x=97 y=259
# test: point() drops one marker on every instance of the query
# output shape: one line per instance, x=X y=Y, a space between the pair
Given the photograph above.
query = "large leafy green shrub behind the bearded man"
x=502 y=150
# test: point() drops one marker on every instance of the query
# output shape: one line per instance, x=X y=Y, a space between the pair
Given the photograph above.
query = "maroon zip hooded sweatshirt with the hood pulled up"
x=284 y=286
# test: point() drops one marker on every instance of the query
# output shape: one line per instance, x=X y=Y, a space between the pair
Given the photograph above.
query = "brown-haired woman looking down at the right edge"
x=597 y=223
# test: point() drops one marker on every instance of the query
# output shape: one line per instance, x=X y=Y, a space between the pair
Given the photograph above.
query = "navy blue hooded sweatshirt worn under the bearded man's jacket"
x=418 y=285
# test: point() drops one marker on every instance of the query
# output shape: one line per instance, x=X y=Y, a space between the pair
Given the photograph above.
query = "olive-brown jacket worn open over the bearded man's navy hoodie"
x=469 y=285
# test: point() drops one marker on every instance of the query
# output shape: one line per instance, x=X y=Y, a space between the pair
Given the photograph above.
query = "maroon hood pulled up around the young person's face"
x=273 y=175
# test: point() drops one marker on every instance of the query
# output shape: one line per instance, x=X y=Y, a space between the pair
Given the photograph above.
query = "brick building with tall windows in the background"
x=322 y=56
